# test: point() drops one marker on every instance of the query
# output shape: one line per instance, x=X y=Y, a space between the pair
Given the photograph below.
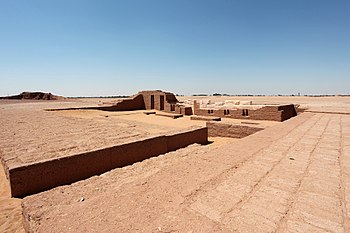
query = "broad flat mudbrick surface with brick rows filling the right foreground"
x=294 y=179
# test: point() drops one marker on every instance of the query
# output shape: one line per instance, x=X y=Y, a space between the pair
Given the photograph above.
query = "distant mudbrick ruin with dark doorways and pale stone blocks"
x=167 y=102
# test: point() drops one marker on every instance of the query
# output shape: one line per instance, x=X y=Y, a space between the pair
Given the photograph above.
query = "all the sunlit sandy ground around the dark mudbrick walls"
x=290 y=177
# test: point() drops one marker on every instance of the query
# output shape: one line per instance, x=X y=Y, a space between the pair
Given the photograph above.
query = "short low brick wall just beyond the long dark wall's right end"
x=218 y=129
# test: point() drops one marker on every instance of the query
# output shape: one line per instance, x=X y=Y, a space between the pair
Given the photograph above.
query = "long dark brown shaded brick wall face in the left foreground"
x=36 y=177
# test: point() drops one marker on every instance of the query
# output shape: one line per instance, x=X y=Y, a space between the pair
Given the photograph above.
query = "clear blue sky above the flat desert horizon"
x=100 y=47
